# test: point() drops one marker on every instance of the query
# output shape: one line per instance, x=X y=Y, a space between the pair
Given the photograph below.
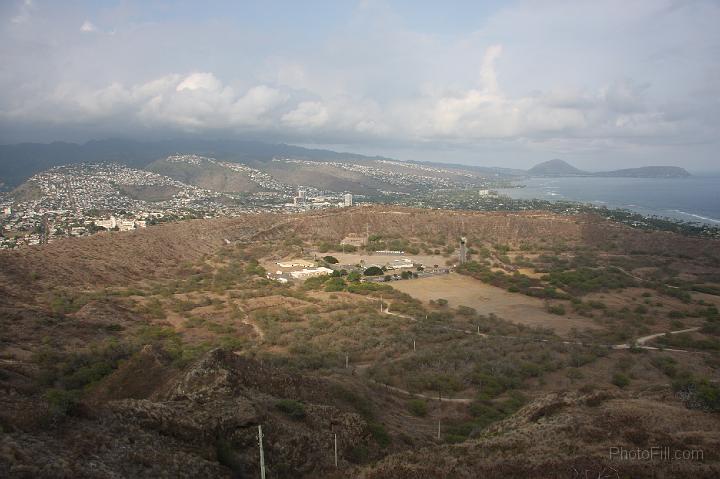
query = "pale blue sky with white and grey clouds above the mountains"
x=601 y=84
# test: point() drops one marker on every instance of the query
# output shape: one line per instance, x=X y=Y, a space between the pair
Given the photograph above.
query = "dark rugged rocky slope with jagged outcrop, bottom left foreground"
x=201 y=423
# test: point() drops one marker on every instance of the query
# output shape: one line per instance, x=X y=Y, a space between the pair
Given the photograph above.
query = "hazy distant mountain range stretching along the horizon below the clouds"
x=19 y=162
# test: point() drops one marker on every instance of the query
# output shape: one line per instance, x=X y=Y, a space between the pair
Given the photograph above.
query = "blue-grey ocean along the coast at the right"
x=696 y=198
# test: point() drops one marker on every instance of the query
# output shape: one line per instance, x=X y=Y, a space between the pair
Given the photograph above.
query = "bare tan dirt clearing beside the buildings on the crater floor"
x=486 y=299
